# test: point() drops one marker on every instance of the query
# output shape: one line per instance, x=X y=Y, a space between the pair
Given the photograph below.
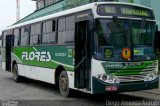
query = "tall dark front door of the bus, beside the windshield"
x=82 y=55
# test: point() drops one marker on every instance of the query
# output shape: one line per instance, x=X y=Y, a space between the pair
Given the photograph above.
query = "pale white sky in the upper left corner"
x=8 y=11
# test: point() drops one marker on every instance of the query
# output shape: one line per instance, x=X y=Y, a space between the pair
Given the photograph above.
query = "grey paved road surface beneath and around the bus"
x=31 y=92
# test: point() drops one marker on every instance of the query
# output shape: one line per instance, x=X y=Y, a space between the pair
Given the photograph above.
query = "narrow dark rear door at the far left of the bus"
x=9 y=44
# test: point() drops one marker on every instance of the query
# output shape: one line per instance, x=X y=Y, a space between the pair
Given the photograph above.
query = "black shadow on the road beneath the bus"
x=83 y=97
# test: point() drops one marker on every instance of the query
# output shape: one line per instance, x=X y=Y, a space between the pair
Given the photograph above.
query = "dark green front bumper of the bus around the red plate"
x=99 y=87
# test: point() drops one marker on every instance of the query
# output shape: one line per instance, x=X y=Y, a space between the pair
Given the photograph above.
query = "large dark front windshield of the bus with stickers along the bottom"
x=113 y=36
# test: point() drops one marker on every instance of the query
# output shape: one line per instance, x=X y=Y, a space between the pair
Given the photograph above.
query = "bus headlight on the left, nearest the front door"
x=107 y=78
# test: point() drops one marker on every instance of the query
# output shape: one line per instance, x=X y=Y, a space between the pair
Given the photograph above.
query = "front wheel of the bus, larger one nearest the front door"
x=64 y=84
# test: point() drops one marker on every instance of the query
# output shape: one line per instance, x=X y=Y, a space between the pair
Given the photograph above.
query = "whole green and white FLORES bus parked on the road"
x=97 y=48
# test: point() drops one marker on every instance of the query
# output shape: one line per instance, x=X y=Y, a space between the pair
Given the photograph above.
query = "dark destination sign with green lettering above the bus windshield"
x=125 y=11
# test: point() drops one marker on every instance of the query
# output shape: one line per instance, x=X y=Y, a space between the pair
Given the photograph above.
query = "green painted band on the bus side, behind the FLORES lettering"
x=66 y=60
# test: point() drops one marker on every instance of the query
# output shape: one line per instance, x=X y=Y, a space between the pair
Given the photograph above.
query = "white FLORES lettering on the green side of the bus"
x=39 y=56
